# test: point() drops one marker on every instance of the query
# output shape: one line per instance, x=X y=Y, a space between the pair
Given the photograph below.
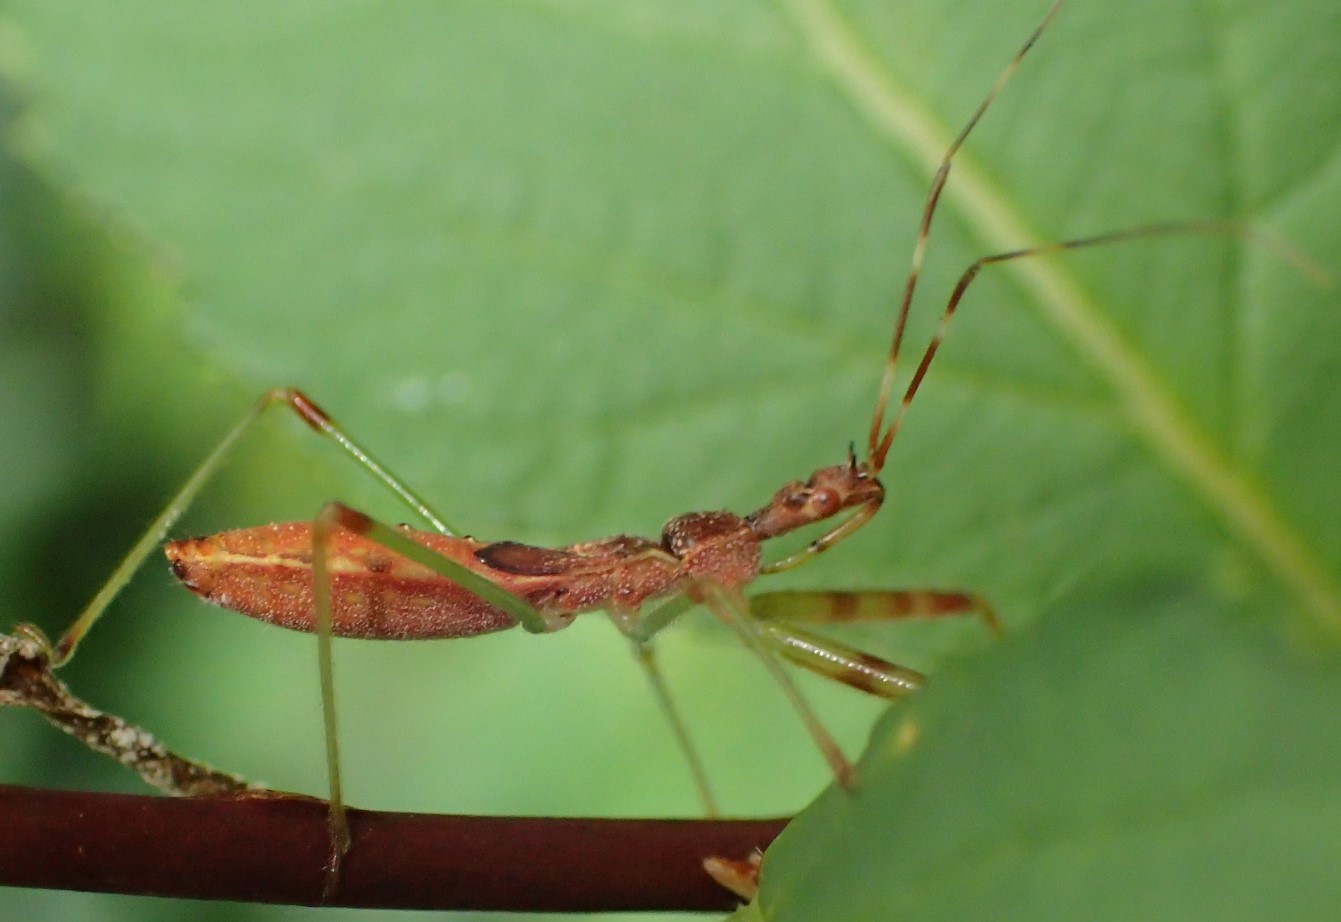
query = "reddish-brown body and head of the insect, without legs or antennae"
x=268 y=572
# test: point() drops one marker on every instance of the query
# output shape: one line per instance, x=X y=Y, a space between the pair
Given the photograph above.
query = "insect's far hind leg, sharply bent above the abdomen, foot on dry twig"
x=178 y=506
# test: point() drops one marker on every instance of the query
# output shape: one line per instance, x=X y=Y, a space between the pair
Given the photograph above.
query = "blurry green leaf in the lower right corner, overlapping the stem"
x=1142 y=755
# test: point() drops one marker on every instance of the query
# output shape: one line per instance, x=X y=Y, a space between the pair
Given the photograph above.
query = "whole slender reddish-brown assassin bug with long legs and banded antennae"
x=349 y=576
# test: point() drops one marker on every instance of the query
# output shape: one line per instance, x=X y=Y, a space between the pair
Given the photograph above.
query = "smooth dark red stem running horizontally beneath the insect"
x=273 y=850
